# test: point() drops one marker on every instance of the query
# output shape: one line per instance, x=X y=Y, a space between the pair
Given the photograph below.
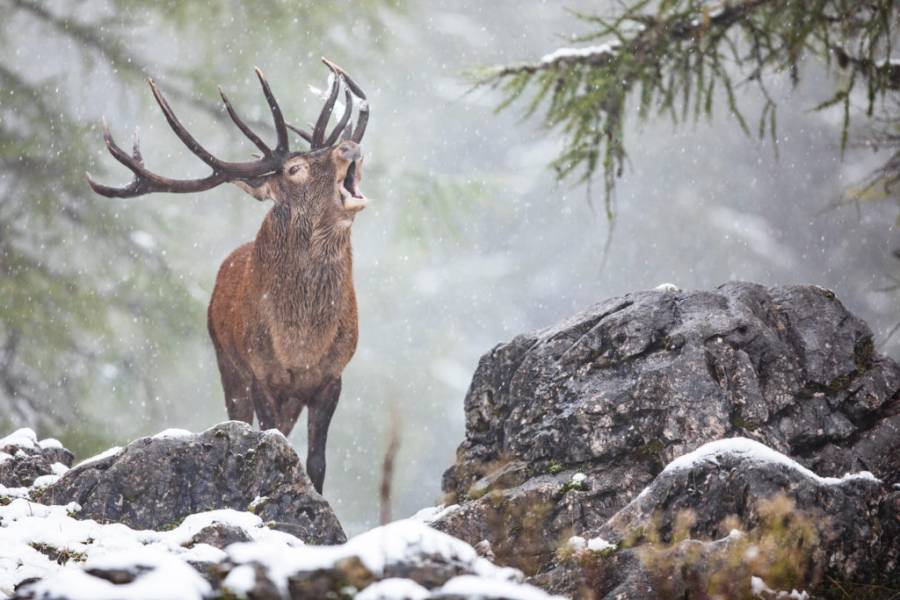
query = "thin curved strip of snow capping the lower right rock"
x=753 y=450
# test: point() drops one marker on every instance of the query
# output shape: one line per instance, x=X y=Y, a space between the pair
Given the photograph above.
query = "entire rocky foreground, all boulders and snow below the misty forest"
x=742 y=443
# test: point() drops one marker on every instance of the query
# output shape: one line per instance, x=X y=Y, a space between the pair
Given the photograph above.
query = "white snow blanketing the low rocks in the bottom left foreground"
x=35 y=538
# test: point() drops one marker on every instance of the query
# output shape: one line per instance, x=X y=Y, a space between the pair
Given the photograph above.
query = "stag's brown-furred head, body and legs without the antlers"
x=283 y=315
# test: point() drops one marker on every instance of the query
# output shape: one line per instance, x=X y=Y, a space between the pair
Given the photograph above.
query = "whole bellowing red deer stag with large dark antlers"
x=283 y=312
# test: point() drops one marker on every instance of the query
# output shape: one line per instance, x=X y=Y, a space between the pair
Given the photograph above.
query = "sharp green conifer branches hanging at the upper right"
x=677 y=57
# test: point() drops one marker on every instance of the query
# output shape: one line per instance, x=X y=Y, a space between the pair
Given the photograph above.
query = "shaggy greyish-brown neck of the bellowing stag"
x=305 y=268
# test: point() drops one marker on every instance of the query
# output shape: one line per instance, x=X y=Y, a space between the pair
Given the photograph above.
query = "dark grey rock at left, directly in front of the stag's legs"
x=153 y=483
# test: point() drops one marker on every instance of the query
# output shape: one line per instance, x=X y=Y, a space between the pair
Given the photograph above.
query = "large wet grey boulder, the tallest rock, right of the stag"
x=618 y=391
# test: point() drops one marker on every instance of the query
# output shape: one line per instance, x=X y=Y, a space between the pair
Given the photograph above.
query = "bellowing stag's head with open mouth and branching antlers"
x=322 y=182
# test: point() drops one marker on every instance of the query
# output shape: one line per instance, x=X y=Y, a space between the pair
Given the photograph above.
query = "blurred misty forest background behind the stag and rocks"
x=469 y=239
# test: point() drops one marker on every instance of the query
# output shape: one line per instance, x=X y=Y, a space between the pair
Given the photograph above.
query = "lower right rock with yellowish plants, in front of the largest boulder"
x=706 y=530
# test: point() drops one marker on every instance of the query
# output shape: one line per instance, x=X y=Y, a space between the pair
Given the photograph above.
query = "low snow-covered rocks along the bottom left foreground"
x=72 y=559
